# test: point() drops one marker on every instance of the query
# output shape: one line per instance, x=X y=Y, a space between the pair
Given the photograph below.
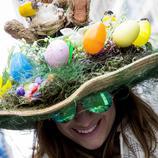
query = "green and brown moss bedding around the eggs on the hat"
x=61 y=82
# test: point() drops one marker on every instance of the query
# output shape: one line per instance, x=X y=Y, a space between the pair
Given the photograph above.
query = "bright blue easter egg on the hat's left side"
x=20 y=67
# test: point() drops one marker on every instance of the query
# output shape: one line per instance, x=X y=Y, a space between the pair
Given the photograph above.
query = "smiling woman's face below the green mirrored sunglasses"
x=88 y=129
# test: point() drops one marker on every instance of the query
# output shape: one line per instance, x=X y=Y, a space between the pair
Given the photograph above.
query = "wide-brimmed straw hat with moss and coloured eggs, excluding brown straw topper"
x=53 y=72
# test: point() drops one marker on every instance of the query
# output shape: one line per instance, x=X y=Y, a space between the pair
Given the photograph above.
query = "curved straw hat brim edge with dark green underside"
x=129 y=75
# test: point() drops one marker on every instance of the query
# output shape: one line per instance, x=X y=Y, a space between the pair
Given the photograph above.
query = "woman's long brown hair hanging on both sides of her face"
x=139 y=116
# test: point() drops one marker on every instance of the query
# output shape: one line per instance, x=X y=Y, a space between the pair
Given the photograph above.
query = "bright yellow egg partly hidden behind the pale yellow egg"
x=144 y=34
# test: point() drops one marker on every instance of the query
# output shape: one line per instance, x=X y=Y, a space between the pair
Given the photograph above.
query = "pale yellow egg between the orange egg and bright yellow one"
x=126 y=33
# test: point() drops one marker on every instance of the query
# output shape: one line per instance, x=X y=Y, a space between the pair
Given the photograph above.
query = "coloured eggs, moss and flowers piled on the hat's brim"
x=51 y=69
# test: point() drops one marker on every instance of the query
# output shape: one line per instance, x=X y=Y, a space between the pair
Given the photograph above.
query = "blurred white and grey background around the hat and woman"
x=18 y=144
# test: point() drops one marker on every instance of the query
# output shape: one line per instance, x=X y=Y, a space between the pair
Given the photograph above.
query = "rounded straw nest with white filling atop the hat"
x=48 y=20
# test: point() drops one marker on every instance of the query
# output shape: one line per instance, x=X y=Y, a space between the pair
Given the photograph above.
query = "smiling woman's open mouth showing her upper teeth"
x=89 y=130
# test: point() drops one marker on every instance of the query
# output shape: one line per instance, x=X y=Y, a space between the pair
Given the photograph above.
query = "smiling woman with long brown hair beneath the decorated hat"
x=127 y=128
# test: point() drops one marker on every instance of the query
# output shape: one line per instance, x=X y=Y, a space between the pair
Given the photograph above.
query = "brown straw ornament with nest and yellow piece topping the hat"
x=47 y=17
